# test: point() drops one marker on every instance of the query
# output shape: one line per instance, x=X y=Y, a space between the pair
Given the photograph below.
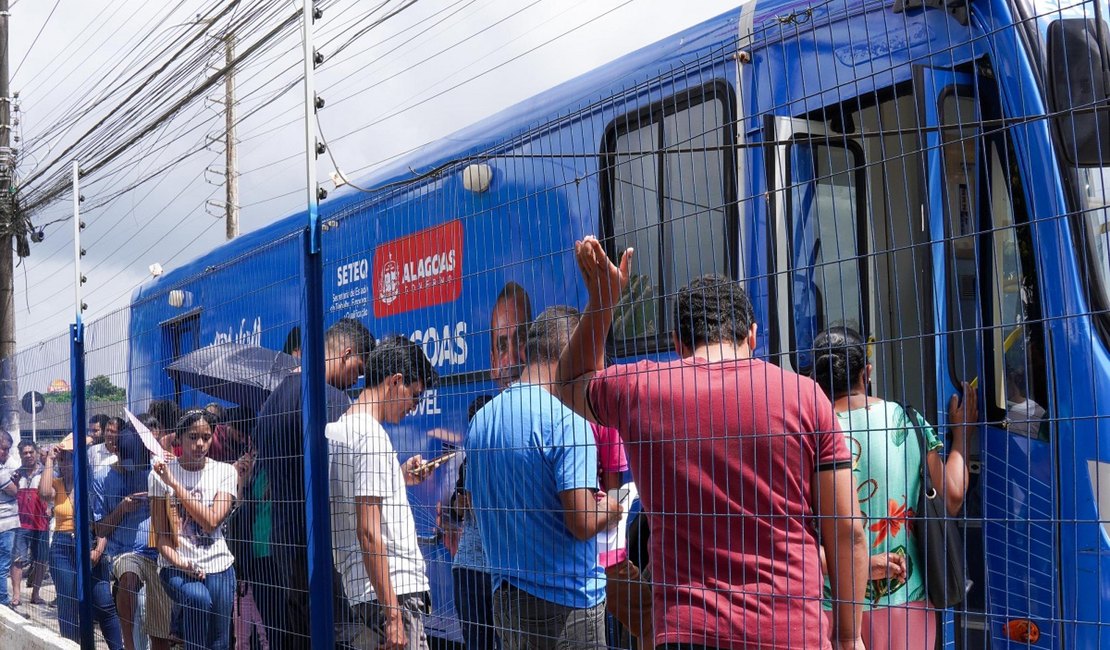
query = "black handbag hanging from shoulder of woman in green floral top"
x=939 y=536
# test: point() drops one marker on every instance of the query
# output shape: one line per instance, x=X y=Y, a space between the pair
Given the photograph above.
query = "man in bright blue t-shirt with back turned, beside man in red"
x=533 y=478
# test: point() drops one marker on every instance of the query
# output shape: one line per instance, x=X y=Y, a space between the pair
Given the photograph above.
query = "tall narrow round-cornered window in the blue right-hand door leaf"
x=960 y=139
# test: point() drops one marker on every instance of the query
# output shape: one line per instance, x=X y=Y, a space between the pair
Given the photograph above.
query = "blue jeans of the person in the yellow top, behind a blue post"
x=64 y=571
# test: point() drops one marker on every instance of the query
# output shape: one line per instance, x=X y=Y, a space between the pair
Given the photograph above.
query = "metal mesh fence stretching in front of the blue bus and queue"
x=850 y=383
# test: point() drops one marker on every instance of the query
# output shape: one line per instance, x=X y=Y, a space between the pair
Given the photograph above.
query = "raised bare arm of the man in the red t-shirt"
x=586 y=353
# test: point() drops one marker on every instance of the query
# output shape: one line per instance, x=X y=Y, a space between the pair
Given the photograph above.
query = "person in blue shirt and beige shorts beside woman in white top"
x=122 y=514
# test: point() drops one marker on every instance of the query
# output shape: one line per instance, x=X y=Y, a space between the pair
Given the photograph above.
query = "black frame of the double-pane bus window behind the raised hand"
x=655 y=114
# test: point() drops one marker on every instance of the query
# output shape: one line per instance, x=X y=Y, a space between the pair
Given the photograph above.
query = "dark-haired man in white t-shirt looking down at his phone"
x=375 y=535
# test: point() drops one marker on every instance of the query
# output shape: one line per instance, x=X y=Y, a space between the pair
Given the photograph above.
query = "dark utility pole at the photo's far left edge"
x=9 y=413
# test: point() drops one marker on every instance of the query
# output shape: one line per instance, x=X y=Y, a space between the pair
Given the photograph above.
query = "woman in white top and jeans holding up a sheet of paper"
x=193 y=496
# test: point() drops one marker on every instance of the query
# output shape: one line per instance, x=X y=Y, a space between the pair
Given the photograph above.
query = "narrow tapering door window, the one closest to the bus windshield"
x=1020 y=388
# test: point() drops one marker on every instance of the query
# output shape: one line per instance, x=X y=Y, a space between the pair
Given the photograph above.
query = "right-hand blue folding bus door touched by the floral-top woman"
x=987 y=318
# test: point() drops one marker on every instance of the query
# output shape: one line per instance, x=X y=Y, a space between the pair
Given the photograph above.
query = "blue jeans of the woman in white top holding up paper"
x=206 y=606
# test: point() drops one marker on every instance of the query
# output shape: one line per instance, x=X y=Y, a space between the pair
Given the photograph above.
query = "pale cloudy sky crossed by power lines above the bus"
x=433 y=69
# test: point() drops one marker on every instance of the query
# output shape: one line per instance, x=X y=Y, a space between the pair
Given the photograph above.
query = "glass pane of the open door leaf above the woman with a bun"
x=828 y=267
